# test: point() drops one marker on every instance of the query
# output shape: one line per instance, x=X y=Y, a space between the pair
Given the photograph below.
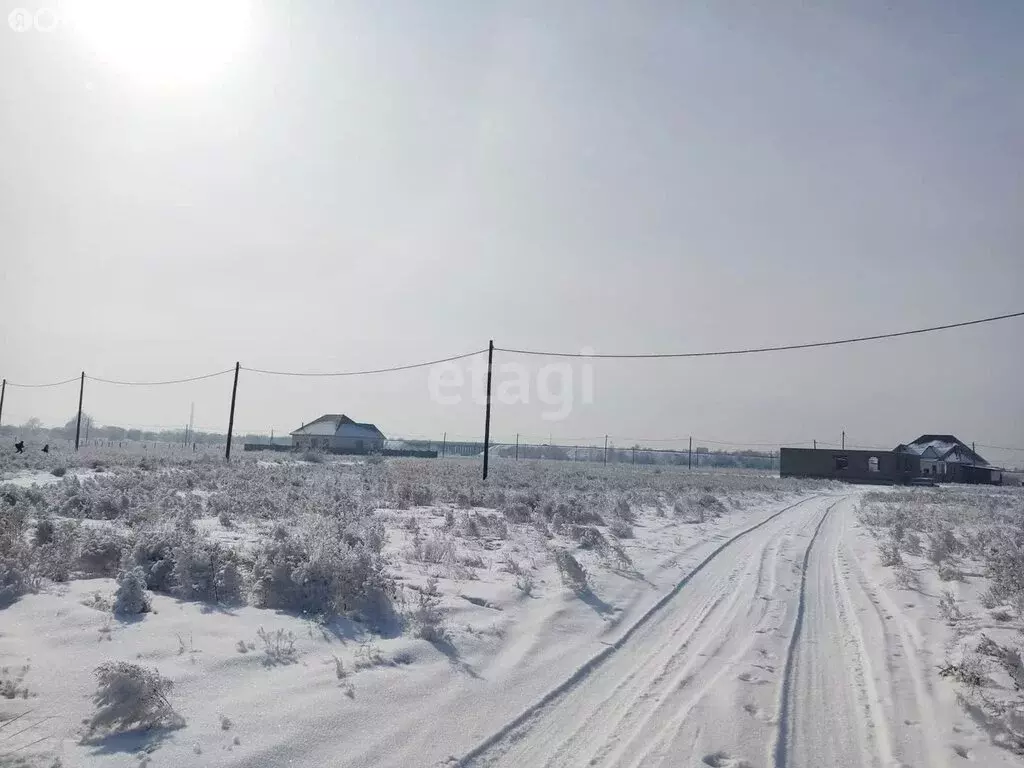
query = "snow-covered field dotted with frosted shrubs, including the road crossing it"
x=277 y=613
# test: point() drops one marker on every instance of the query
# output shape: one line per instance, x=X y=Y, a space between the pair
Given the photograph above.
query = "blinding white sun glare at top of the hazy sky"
x=164 y=41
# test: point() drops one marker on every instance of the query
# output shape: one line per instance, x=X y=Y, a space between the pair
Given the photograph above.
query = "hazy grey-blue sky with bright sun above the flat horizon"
x=321 y=186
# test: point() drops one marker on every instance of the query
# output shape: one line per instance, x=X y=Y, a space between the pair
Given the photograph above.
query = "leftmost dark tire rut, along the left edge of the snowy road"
x=515 y=730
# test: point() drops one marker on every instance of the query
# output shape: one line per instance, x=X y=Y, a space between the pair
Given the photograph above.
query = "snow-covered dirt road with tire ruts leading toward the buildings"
x=779 y=650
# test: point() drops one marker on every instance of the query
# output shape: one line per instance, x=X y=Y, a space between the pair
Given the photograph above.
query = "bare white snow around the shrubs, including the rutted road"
x=772 y=635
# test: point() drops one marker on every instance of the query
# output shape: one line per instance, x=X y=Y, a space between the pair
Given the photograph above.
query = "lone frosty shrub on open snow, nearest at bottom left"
x=131 y=697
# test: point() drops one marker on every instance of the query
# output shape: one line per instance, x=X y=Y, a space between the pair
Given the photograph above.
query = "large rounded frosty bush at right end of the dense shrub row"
x=322 y=568
